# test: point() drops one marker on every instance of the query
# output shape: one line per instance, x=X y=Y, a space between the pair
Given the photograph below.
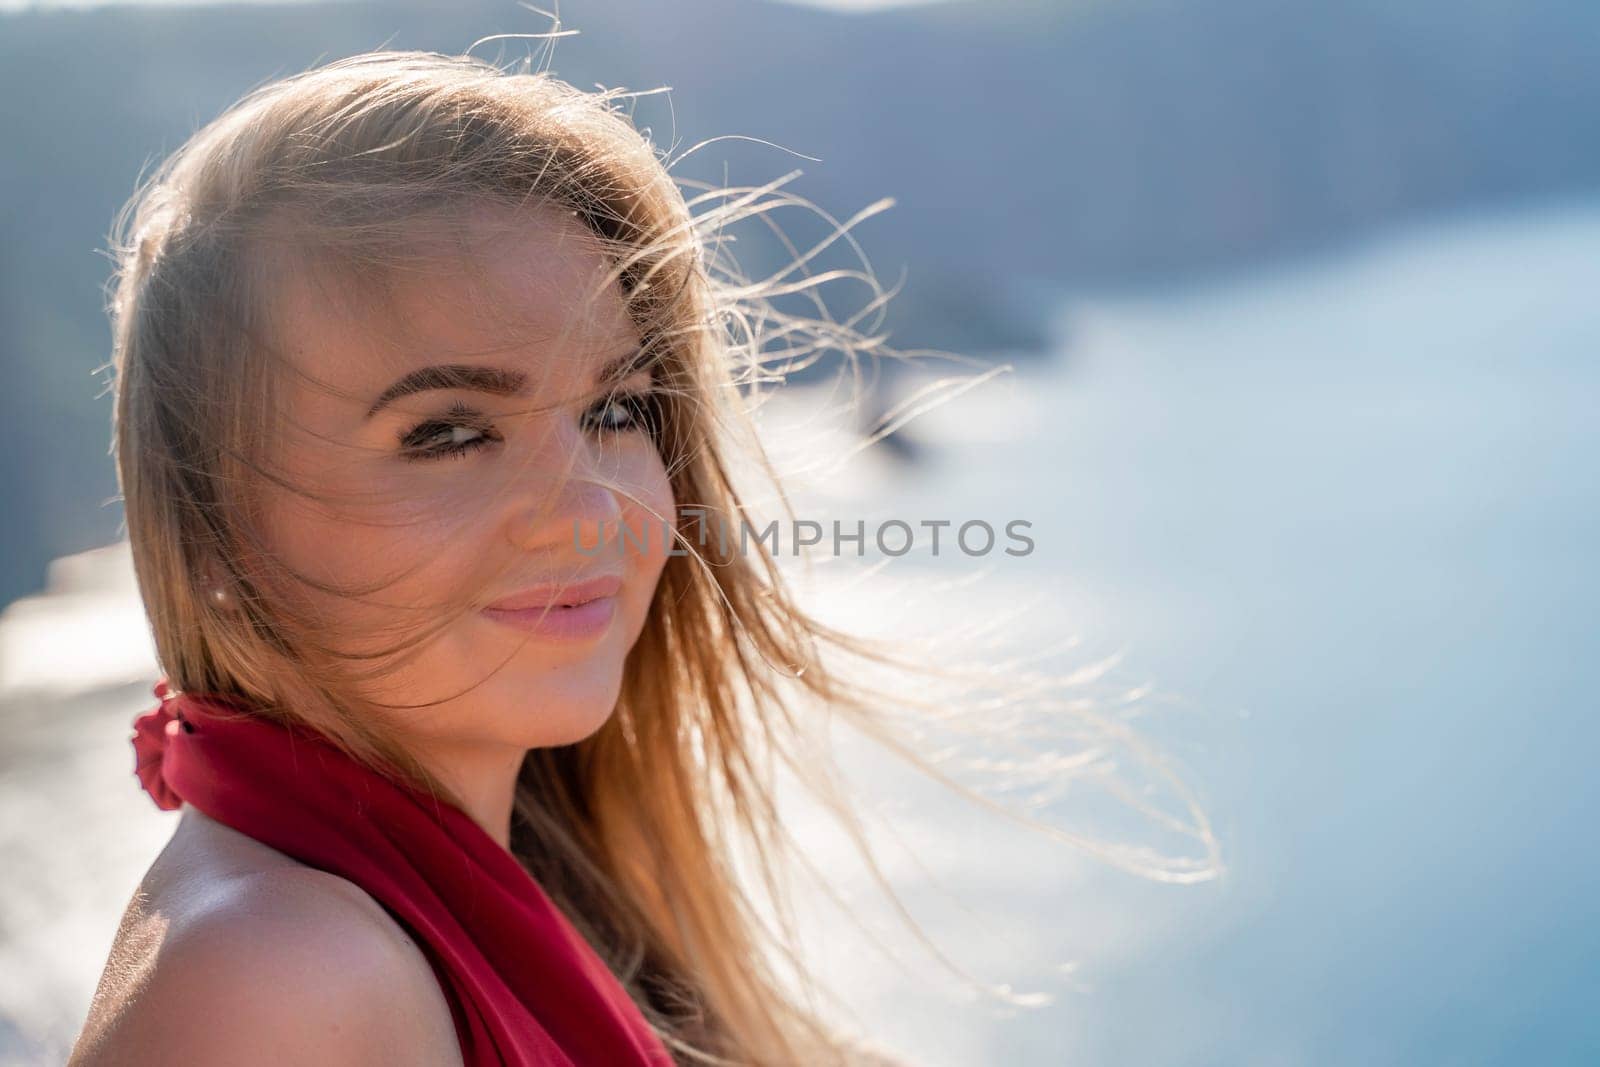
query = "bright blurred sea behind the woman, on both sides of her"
x=1337 y=518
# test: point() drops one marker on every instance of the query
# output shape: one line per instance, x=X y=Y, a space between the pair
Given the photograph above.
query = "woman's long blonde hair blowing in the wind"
x=630 y=831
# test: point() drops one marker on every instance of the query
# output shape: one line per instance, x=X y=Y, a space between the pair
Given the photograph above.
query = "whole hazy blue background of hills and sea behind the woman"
x=1303 y=306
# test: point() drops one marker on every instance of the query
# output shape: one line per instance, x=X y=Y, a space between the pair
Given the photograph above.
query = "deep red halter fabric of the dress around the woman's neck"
x=522 y=985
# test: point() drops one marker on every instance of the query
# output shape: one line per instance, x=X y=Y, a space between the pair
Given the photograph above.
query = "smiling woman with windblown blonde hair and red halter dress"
x=423 y=383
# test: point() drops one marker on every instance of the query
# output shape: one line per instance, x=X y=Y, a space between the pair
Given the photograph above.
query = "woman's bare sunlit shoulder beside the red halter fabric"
x=233 y=953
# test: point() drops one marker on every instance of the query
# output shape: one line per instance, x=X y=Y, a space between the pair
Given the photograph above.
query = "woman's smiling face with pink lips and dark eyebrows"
x=454 y=481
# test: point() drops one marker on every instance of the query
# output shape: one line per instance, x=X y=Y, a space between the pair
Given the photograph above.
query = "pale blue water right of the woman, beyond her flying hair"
x=1351 y=514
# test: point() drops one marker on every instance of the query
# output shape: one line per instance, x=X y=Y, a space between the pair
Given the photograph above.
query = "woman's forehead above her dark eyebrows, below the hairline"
x=535 y=292
